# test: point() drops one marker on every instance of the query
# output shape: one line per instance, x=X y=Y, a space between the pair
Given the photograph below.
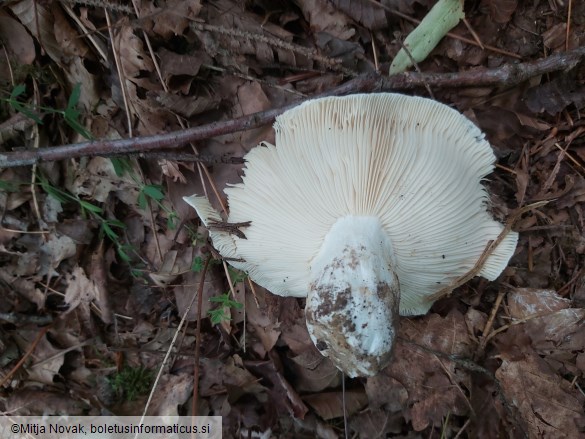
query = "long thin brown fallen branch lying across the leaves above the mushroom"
x=505 y=76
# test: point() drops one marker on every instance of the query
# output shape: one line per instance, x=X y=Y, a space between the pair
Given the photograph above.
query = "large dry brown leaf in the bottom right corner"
x=547 y=405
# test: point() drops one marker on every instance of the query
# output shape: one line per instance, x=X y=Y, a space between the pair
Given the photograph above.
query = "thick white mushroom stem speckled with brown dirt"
x=352 y=304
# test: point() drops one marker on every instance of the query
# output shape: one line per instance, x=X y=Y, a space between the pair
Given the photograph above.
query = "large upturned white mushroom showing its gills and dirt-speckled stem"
x=366 y=206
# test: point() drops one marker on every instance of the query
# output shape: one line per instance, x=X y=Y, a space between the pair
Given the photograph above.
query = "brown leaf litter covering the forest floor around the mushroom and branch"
x=105 y=251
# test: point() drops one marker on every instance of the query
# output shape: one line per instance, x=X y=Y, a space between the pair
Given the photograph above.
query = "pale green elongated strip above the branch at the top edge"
x=443 y=17
